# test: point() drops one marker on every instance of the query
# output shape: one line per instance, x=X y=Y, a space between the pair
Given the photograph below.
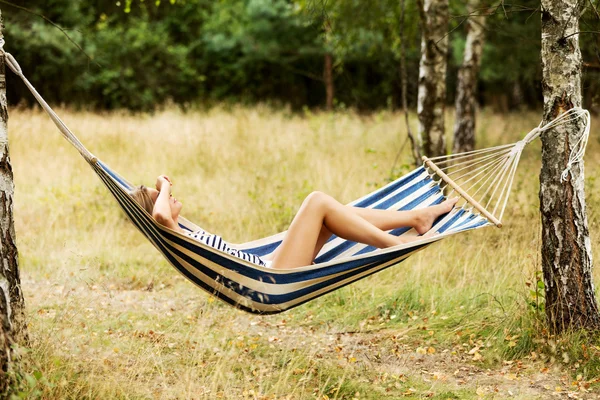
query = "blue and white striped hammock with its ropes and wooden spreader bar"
x=482 y=178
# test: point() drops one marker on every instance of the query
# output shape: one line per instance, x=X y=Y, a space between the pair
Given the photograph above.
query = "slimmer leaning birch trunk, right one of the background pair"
x=466 y=100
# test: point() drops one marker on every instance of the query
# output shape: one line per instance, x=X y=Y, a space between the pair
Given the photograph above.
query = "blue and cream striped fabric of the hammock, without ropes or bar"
x=263 y=290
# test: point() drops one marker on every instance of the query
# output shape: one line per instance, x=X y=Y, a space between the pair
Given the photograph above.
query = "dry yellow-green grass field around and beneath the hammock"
x=110 y=319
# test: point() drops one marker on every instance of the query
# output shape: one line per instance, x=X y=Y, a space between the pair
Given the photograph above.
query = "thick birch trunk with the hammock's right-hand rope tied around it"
x=566 y=246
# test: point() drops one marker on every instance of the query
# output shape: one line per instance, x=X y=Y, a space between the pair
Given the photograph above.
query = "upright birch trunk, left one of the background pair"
x=432 y=75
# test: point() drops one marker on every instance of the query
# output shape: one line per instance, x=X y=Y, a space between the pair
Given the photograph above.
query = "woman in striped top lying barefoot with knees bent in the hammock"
x=319 y=217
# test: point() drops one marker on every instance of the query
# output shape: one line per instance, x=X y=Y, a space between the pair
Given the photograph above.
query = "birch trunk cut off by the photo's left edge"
x=12 y=321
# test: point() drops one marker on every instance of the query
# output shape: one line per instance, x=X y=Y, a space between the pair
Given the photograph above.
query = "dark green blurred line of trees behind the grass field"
x=314 y=53
